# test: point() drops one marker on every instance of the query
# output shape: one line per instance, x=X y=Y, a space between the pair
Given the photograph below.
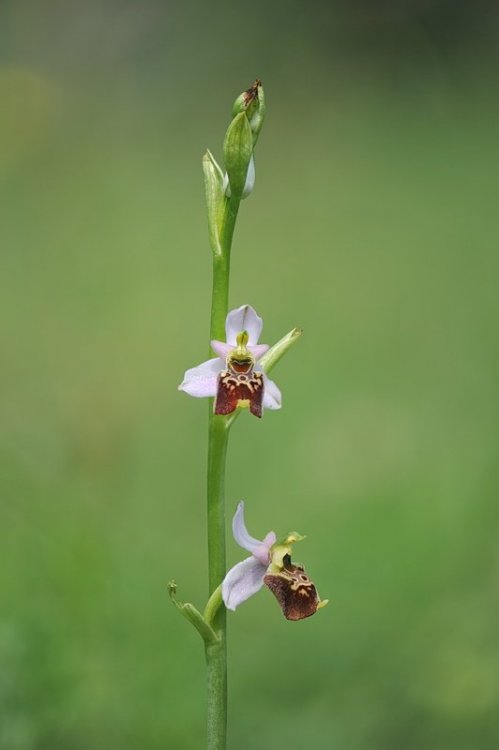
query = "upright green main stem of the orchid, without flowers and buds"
x=218 y=437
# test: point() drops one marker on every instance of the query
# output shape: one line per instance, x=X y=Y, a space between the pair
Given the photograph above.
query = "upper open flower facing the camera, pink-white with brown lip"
x=231 y=376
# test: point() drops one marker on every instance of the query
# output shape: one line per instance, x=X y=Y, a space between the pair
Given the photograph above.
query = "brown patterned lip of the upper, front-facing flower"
x=239 y=389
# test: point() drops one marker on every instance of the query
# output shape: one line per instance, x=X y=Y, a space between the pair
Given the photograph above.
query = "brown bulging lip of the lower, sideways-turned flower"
x=294 y=591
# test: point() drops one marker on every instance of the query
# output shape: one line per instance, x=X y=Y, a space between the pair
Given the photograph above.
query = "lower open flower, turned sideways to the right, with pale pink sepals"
x=270 y=564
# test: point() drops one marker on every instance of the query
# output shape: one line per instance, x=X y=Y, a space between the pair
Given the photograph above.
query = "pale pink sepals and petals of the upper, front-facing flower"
x=202 y=381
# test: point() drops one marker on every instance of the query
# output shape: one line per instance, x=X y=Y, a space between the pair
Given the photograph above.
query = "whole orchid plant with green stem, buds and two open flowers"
x=234 y=380
